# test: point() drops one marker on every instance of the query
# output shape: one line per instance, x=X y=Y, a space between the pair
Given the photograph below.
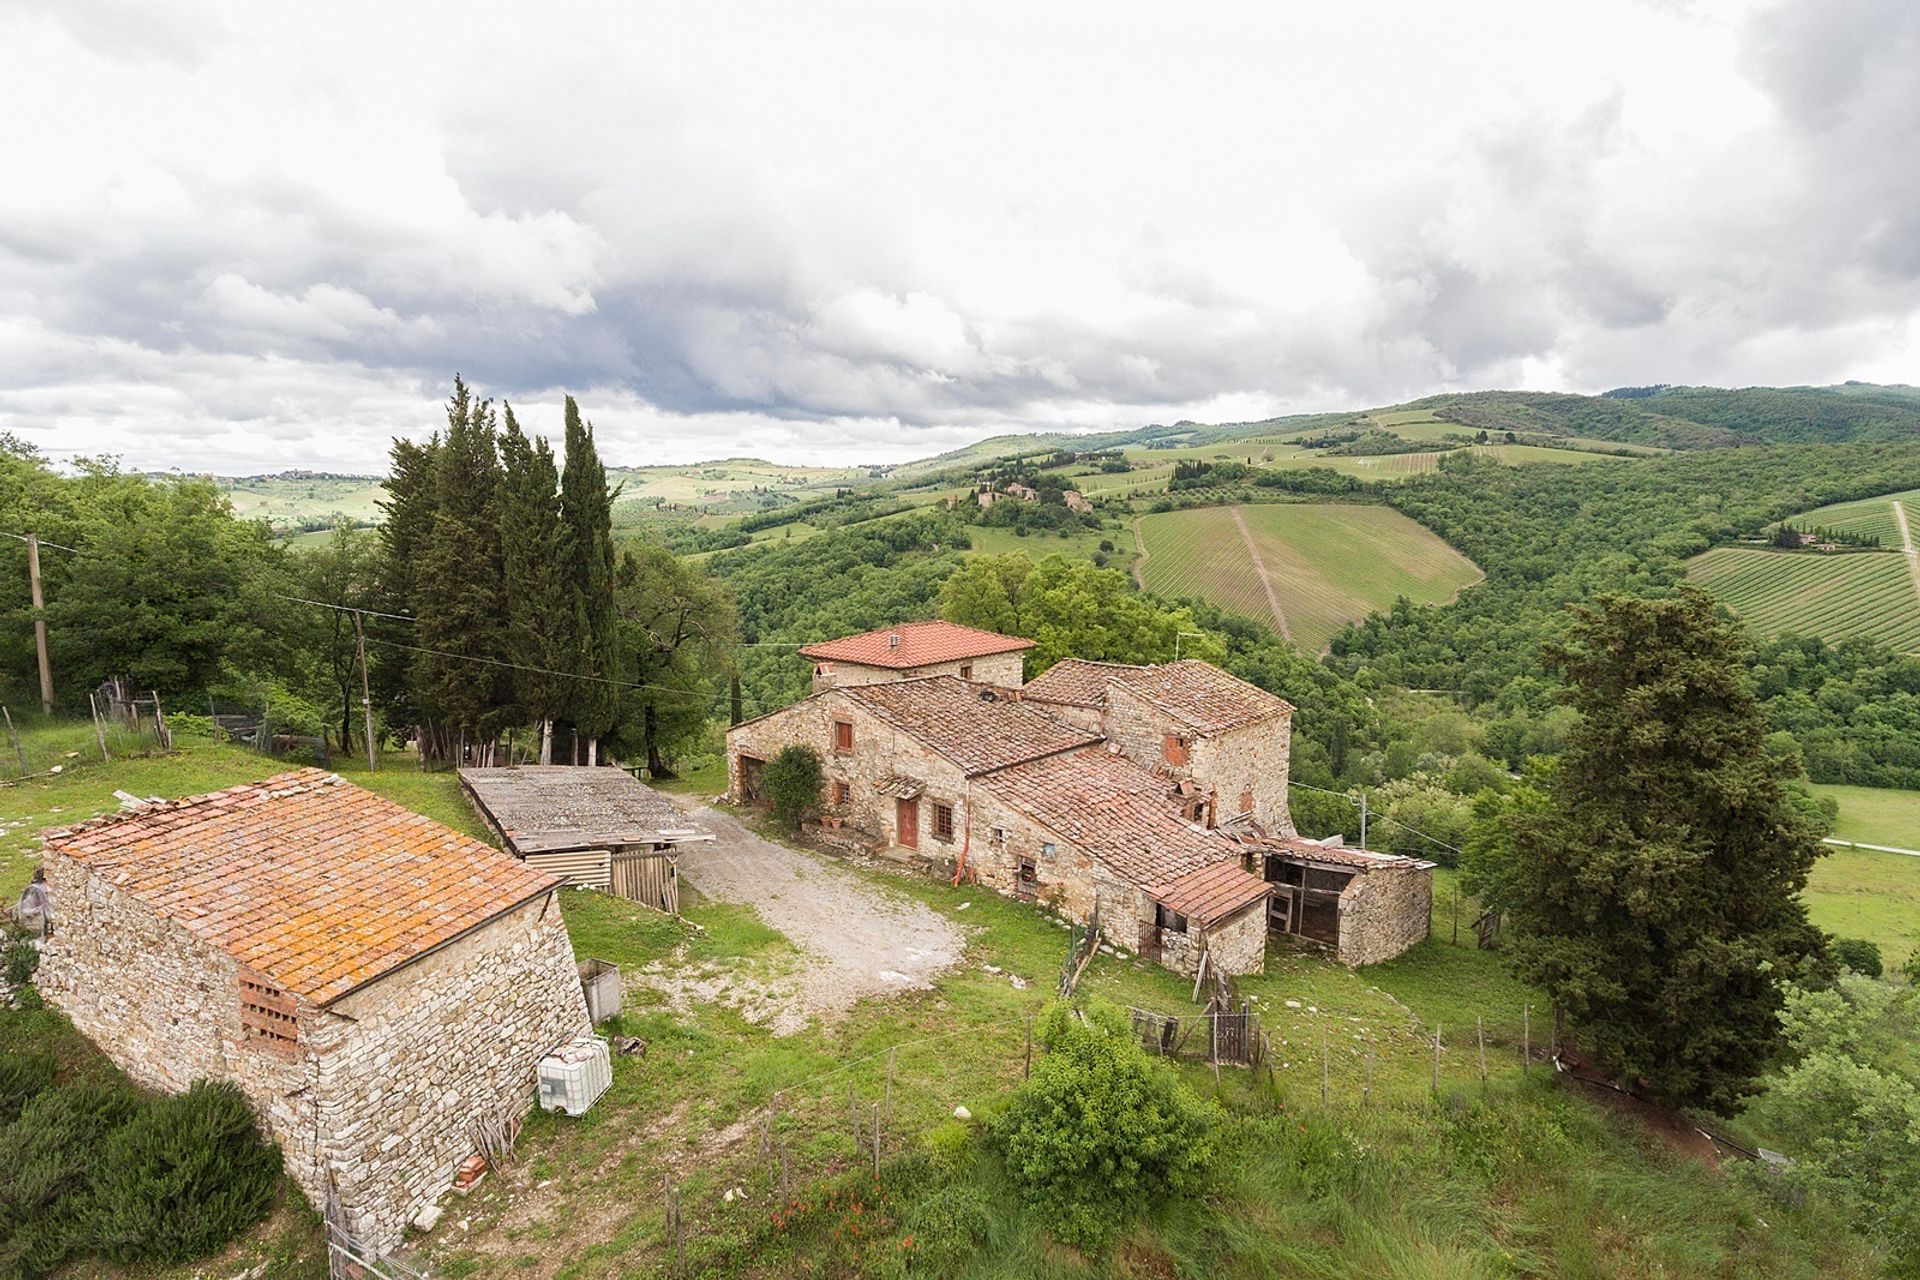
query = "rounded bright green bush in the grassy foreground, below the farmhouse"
x=1103 y=1131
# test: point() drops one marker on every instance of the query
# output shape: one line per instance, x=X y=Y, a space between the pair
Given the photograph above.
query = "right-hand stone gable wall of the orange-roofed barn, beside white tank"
x=454 y=1035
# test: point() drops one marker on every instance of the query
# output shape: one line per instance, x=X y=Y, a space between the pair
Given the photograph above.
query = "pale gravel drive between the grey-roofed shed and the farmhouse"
x=855 y=939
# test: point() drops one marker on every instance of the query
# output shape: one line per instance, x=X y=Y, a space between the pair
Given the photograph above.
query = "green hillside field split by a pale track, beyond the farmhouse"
x=1308 y=569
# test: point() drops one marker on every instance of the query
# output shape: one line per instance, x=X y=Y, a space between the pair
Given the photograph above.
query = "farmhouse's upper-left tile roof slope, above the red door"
x=976 y=726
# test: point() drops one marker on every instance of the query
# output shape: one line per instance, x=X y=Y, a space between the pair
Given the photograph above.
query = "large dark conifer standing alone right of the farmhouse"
x=1658 y=899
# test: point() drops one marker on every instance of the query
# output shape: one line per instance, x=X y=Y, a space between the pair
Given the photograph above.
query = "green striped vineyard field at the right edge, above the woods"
x=1833 y=596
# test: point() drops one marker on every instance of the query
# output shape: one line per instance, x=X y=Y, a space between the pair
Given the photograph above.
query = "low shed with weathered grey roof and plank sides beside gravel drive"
x=590 y=828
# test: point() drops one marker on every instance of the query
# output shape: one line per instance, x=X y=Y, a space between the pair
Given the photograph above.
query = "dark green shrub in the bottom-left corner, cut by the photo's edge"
x=47 y=1164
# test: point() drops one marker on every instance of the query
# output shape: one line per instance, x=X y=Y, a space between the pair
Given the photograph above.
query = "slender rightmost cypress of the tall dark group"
x=588 y=511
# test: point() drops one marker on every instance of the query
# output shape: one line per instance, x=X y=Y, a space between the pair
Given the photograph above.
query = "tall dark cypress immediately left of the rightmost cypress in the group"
x=537 y=563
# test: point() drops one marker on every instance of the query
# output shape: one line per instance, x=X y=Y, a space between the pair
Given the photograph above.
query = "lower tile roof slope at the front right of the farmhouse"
x=1116 y=811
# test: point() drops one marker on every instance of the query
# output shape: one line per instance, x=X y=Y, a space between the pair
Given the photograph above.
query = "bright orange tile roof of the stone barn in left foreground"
x=304 y=878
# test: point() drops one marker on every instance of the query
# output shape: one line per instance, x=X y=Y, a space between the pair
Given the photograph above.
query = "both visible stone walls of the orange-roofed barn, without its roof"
x=383 y=1081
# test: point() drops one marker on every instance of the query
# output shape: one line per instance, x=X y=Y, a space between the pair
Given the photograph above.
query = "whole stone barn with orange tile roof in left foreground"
x=372 y=980
